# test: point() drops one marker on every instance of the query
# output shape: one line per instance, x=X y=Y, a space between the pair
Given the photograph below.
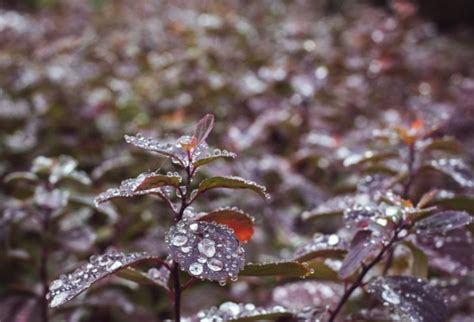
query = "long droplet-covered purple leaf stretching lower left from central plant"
x=69 y=286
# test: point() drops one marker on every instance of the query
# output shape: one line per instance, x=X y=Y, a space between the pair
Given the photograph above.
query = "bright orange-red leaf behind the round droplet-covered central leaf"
x=237 y=220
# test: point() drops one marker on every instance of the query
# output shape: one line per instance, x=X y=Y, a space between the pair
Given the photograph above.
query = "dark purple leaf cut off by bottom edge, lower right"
x=410 y=297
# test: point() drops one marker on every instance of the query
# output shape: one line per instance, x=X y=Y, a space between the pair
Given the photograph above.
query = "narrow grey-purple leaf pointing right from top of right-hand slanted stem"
x=443 y=222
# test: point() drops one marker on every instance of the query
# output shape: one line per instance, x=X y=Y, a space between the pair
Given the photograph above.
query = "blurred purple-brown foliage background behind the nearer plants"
x=295 y=87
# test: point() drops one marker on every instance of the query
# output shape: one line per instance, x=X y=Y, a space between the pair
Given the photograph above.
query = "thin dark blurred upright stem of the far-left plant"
x=43 y=268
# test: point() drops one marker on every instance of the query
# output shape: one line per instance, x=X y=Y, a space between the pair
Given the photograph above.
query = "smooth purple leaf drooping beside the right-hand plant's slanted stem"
x=362 y=247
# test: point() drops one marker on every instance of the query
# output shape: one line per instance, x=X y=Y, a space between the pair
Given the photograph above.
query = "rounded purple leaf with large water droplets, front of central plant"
x=206 y=250
